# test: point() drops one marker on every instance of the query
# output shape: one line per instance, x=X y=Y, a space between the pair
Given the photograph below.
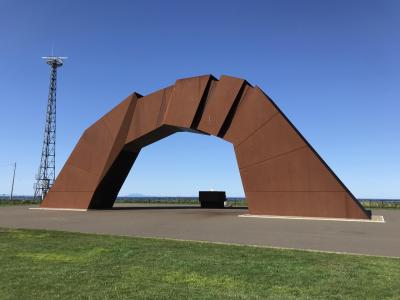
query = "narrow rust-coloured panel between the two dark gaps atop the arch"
x=219 y=103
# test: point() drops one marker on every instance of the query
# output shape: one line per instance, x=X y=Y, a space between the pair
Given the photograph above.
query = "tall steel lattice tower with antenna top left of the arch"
x=46 y=175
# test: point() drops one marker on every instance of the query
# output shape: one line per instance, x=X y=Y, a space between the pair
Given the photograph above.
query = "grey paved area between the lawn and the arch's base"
x=218 y=225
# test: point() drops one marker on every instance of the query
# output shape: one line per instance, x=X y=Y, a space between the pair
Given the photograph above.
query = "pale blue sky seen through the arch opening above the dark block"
x=181 y=165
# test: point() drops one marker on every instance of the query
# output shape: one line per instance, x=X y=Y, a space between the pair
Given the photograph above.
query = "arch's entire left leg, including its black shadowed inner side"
x=98 y=166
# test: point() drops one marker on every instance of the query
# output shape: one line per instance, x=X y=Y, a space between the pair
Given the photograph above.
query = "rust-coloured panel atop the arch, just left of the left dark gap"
x=185 y=100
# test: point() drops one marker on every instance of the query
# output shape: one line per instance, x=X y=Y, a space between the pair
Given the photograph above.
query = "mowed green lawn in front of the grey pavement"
x=38 y=264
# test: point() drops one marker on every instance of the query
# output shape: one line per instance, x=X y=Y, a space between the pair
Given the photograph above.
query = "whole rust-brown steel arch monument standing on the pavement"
x=281 y=173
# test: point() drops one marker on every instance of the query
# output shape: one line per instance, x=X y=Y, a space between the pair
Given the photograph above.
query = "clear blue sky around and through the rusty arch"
x=332 y=66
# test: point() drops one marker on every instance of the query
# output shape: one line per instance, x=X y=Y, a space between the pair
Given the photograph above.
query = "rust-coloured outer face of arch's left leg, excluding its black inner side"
x=85 y=168
